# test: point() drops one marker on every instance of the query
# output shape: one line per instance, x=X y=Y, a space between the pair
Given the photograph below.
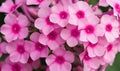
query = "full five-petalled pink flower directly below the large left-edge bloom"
x=19 y=50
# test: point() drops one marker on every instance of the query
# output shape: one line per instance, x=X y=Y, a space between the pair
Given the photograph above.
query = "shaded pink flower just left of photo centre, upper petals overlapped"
x=52 y=40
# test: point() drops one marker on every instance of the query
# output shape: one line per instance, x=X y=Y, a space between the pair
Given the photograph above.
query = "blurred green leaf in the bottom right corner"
x=116 y=64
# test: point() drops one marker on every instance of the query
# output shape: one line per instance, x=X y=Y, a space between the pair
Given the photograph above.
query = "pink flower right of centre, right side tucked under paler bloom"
x=71 y=35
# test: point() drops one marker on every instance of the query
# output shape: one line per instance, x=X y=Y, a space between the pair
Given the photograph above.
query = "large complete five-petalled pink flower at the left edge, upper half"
x=15 y=27
